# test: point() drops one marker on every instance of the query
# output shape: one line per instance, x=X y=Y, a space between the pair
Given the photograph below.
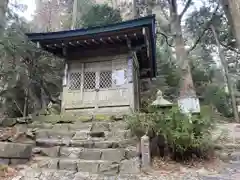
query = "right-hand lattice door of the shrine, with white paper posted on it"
x=113 y=84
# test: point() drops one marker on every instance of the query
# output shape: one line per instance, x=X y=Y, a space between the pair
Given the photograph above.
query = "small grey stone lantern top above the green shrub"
x=161 y=103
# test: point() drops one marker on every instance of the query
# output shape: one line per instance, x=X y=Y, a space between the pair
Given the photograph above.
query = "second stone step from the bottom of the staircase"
x=110 y=154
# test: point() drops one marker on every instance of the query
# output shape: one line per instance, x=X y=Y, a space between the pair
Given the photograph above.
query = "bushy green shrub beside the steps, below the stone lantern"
x=184 y=135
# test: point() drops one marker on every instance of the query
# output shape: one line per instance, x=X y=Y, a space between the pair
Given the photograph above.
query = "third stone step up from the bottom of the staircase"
x=93 y=143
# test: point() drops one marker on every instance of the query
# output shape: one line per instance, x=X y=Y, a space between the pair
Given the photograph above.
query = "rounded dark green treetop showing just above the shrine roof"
x=99 y=15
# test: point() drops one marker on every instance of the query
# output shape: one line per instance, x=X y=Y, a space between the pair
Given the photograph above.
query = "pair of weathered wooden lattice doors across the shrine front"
x=95 y=85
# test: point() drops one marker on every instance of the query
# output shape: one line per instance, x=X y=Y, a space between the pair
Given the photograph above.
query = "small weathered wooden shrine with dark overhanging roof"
x=103 y=65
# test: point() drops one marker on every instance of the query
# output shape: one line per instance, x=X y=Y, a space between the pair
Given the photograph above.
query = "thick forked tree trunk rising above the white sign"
x=175 y=29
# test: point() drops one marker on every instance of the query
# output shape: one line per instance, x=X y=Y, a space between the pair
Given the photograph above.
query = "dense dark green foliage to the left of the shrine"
x=30 y=77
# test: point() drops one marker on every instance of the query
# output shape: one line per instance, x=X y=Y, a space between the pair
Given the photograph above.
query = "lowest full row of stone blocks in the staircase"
x=91 y=166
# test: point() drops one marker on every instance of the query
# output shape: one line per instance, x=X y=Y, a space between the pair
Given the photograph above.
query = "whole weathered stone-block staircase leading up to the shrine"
x=101 y=148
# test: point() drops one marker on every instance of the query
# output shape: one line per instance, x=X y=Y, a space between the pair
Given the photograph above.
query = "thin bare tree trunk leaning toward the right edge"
x=229 y=84
